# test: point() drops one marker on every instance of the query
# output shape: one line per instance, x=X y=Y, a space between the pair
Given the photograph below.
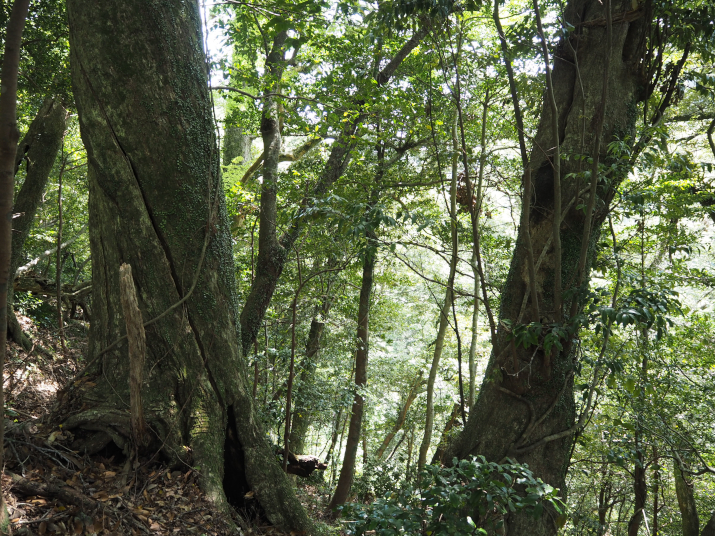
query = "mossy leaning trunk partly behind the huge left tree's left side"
x=39 y=150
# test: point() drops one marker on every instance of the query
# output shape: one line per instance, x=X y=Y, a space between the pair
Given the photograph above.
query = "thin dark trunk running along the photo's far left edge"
x=8 y=148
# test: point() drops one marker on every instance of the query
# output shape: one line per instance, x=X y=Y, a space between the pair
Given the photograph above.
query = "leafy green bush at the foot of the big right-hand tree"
x=461 y=500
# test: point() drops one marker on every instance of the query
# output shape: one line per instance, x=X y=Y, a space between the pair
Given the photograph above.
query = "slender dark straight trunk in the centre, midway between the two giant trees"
x=347 y=471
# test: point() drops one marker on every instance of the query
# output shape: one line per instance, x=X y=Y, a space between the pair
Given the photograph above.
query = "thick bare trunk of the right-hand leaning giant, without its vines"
x=525 y=408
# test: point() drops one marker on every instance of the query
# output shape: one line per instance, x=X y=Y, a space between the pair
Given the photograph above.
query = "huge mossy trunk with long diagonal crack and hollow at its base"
x=155 y=202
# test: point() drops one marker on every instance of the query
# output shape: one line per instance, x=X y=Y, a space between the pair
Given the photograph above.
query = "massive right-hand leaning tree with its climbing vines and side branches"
x=603 y=70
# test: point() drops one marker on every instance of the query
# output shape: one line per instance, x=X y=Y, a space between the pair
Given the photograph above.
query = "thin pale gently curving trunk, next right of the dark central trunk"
x=445 y=311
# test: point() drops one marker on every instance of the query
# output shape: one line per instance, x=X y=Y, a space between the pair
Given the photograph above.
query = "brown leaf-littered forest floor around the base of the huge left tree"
x=52 y=490
